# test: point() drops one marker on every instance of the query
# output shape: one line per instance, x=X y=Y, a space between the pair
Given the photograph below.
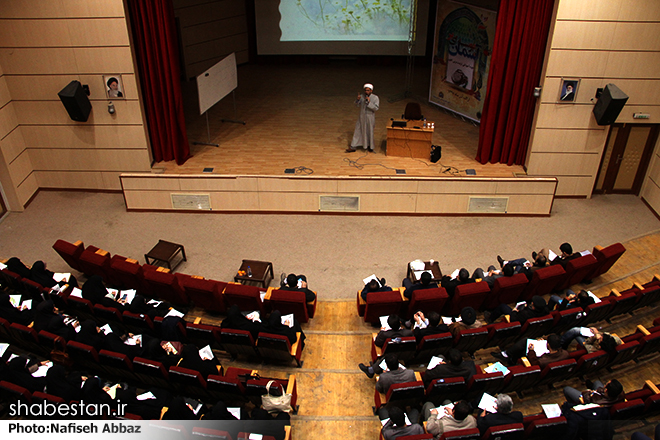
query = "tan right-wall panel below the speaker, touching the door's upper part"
x=557 y=140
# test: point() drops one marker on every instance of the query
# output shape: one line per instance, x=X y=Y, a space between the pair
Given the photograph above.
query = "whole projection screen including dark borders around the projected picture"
x=339 y=27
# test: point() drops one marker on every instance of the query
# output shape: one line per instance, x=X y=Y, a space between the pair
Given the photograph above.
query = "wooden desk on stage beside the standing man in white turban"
x=410 y=141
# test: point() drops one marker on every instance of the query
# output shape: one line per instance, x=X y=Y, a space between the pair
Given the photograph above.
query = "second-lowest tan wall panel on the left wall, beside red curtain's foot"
x=88 y=160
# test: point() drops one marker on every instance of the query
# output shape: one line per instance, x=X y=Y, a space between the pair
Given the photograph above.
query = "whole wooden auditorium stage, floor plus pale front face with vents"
x=303 y=117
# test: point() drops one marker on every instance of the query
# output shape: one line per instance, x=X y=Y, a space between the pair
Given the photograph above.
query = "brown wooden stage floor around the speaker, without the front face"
x=303 y=116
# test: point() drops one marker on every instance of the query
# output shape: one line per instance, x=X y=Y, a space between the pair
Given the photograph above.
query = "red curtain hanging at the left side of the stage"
x=154 y=34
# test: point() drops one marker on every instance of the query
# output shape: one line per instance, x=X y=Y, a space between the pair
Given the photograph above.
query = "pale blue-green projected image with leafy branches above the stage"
x=348 y=20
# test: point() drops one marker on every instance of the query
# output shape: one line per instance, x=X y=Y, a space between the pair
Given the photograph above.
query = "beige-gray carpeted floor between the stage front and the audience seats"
x=335 y=252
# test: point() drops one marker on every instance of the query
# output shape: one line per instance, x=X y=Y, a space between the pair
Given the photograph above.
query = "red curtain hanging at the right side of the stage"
x=516 y=64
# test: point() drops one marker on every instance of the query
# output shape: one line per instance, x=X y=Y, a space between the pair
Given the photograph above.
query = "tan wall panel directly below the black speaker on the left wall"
x=131 y=137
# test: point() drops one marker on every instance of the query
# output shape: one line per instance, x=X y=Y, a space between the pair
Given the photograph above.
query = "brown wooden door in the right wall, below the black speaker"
x=626 y=158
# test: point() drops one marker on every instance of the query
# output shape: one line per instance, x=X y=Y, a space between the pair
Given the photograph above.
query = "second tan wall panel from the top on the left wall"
x=64 y=33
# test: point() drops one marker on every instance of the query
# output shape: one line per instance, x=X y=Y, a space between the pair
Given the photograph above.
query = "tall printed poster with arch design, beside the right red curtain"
x=461 y=57
